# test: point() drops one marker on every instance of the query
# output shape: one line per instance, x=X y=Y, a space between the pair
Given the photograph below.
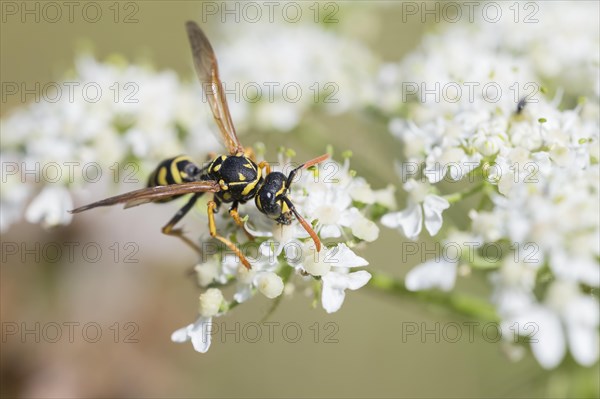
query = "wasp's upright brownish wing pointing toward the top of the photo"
x=208 y=73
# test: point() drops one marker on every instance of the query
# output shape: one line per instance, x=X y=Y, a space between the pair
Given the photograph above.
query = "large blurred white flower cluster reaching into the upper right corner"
x=484 y=65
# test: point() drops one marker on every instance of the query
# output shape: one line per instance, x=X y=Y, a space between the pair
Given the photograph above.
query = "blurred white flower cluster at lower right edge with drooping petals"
x=555 y=224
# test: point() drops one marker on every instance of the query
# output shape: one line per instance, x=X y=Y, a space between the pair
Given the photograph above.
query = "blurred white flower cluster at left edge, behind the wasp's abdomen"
x=129 y=114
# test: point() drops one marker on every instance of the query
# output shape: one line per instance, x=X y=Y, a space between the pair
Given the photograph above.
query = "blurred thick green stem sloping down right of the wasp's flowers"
x=460 y=304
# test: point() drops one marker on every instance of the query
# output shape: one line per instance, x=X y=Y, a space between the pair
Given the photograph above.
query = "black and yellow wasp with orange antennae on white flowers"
x=234 y=178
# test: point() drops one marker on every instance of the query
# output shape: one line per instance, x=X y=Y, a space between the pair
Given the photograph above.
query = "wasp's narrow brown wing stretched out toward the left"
x=151 y=194
